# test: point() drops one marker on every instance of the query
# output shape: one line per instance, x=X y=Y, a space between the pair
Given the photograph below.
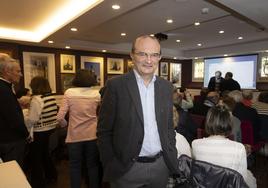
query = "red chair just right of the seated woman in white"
x=248 y=136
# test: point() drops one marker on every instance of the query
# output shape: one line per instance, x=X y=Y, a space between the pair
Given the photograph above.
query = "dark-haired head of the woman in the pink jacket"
x=84 y=78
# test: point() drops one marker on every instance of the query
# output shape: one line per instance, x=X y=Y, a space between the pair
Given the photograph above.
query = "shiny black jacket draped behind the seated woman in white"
x=200 y=174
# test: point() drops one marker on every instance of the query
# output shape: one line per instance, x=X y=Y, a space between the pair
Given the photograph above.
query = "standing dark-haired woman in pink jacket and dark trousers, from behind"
x=81 y=103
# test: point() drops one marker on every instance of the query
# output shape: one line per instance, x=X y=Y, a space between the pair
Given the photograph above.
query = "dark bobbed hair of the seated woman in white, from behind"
x=218 y=121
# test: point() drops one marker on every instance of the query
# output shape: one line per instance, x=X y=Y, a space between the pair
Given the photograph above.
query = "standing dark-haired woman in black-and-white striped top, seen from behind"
x=43 y=118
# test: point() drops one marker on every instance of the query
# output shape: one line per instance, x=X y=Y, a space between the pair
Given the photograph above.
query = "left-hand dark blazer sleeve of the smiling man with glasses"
x=106 y=122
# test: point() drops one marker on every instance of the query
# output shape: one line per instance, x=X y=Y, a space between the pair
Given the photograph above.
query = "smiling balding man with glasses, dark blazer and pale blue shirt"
x=135 y=126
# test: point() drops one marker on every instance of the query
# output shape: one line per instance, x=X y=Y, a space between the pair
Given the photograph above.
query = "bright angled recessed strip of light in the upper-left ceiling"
x=55 y=20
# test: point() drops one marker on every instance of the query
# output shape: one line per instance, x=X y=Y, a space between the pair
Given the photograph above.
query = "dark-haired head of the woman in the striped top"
x=40 y=86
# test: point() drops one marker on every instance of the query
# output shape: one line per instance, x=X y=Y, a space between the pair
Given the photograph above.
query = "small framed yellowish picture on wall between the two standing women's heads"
x=67 y=63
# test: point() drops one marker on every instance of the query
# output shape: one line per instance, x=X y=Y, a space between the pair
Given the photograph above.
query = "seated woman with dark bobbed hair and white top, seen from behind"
x=219 y=150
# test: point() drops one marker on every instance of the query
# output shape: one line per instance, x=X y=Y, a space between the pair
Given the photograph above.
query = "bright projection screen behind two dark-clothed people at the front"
x=244 y=69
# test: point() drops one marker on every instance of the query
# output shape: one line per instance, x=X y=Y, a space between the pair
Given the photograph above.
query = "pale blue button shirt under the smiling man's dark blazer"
x=151 y=142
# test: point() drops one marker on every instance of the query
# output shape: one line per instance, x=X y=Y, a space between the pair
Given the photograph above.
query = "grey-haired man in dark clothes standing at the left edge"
x=13 y=132
